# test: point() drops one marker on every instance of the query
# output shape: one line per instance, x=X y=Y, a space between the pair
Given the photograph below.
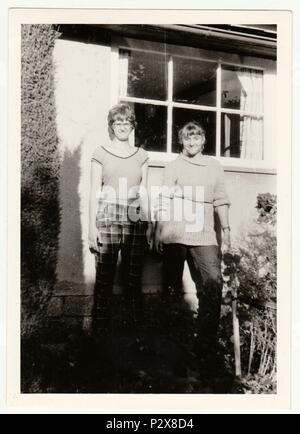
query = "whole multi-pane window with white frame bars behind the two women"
x=168 y=90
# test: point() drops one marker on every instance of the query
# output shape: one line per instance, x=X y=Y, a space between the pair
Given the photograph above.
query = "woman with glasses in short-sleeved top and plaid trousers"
x=118 y=215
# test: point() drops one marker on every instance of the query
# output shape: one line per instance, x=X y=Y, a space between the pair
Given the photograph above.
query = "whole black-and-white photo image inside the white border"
x=148 y=208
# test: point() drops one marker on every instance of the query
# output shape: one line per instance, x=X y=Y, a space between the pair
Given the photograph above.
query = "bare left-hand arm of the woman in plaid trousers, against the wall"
x=95 y=184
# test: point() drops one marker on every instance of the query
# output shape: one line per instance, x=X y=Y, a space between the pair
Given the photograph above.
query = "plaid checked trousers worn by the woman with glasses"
x=117 y=233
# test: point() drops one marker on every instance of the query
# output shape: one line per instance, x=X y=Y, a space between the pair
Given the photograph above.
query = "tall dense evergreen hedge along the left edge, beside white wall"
x=40 y=213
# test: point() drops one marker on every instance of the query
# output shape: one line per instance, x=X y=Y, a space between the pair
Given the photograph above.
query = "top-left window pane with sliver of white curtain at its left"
x=143 y=75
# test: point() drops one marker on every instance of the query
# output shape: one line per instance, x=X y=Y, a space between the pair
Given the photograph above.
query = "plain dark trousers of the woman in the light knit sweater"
x=205 y=267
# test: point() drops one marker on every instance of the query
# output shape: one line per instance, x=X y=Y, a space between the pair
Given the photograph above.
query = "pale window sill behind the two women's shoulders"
x=159 y=160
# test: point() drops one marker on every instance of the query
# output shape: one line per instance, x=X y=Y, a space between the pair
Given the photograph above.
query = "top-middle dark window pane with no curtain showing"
x=194 y=82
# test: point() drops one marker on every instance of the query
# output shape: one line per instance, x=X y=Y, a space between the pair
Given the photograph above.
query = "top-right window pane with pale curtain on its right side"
x=242 y=89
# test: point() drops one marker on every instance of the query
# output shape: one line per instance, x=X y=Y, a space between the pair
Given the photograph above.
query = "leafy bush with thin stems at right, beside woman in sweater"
x=254 y=264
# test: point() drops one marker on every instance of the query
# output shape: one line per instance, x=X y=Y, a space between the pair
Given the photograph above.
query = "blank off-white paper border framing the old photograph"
x=149 y=403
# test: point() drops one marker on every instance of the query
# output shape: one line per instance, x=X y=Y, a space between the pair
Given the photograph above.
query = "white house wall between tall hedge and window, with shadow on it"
x=82 y=101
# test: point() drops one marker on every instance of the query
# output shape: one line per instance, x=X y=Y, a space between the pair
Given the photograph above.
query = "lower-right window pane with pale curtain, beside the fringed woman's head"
x=241 y=136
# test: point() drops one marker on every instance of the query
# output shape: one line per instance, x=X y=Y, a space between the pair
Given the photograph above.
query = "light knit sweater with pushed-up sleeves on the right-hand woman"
x=185 y=178
